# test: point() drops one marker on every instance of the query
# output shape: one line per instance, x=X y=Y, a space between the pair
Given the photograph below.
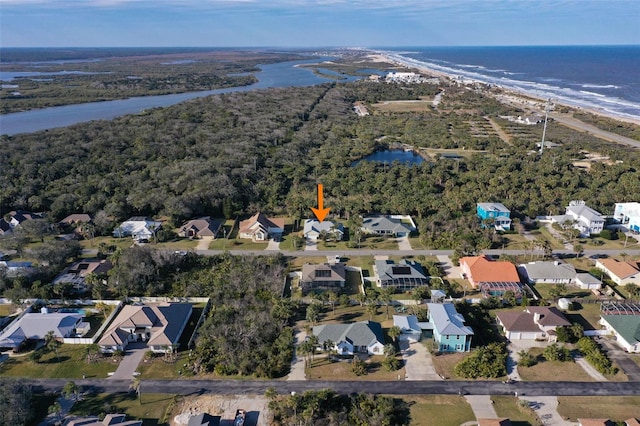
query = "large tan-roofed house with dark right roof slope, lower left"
x=159 y=325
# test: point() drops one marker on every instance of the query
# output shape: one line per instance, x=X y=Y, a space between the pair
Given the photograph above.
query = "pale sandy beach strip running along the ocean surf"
x=525 y=100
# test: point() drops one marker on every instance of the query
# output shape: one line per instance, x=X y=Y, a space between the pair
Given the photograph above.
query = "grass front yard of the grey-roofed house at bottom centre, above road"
x=325 y=369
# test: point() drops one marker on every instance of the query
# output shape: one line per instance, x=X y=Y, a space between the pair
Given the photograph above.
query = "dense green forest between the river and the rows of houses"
x=236 y=154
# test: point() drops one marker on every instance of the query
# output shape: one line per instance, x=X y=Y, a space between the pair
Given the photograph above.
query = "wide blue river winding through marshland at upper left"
x=283 y=74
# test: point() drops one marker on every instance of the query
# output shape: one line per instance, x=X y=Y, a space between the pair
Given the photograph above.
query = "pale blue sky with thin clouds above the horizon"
x=315 y=23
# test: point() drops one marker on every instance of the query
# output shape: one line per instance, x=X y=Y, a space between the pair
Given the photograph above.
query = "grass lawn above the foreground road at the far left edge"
x=72 y=365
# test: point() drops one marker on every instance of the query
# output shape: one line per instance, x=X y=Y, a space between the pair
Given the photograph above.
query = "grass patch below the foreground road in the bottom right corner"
x=616 y=408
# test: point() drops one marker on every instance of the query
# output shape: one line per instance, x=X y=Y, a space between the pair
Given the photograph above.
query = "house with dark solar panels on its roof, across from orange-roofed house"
x=405 y=275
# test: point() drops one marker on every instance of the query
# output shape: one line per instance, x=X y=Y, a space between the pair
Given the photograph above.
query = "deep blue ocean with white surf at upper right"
x=605 y=78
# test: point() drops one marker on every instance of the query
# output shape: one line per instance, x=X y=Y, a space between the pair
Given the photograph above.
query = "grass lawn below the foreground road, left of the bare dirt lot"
x=153 y=411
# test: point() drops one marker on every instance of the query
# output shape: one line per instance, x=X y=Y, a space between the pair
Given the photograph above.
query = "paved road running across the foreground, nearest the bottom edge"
x=445 y=387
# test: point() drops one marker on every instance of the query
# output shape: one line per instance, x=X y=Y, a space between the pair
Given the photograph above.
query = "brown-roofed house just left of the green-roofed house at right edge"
x=535 y=323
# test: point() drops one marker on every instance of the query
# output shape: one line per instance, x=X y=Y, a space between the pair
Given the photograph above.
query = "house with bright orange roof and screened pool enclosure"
x=493 y=278
